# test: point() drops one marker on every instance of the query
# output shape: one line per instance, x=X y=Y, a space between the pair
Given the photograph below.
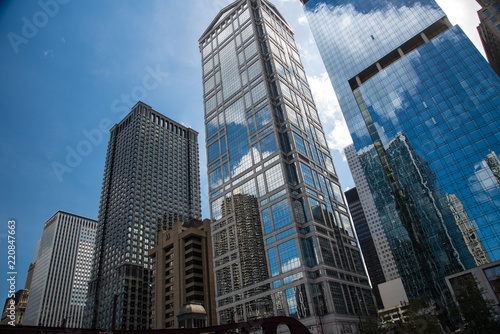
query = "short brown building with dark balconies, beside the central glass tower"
x=183 y=276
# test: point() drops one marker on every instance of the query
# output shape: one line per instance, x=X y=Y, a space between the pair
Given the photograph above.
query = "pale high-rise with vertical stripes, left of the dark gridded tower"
x=62 y=268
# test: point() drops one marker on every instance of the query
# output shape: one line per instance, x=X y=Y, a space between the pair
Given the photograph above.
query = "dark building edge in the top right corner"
x=489 y=31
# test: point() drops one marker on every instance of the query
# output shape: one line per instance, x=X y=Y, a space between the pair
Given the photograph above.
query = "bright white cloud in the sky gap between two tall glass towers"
x=336 y=131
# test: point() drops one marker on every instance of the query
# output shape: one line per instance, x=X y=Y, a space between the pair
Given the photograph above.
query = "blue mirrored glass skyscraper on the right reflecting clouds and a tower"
x=421 y=104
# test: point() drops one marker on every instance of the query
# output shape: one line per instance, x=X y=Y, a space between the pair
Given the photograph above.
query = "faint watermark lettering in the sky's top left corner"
x=31 y=27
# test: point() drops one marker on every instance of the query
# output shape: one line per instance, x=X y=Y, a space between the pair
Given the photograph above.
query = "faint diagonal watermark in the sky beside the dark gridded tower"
x=120 y=107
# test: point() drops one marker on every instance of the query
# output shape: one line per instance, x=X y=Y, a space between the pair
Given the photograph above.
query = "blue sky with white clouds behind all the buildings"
x=72 y=67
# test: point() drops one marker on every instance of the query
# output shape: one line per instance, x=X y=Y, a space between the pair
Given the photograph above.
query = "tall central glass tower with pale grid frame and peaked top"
x=283 y=240
